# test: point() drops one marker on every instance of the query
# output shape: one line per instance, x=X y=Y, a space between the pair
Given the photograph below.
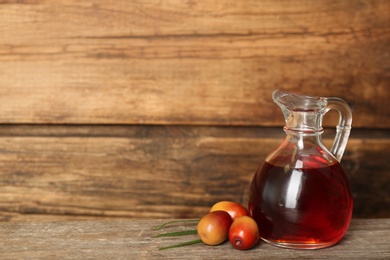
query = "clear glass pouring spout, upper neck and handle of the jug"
x=305 y=113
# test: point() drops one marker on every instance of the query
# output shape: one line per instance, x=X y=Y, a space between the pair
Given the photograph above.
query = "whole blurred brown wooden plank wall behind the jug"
x=158 y=109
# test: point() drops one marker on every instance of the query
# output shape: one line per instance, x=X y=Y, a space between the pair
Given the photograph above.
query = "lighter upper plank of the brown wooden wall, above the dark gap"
x=198 y=63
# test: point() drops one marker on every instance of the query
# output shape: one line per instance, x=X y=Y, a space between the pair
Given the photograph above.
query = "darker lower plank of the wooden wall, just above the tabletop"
x=163 y=172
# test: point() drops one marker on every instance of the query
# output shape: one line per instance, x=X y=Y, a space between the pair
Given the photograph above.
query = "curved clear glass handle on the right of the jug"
x=344 y=126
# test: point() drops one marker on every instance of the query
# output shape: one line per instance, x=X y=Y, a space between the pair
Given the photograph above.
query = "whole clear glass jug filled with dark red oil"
x=300 y=196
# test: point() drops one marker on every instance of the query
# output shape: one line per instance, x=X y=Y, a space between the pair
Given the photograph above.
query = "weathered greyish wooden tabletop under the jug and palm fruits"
x=133 y=239
